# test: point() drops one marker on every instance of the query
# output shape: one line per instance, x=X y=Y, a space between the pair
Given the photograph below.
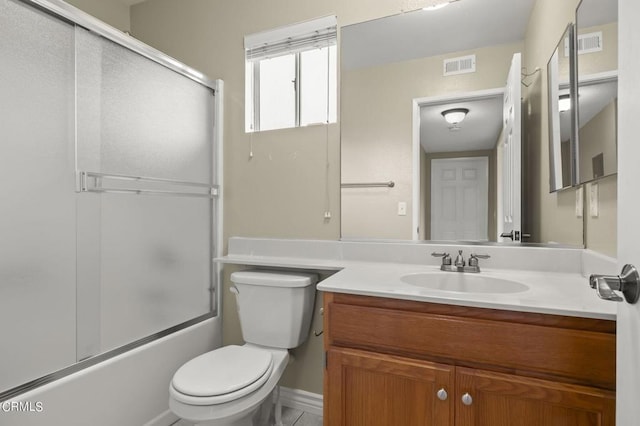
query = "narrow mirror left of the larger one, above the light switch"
x=562 y=139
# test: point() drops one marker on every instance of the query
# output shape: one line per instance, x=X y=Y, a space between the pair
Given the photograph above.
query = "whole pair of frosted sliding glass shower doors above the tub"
x=107 y=195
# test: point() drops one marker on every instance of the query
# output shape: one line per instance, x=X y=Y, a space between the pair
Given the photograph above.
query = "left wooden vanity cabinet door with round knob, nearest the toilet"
x=368 y=389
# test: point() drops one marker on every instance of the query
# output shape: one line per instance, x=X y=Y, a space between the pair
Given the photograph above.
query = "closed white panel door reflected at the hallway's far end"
x=459 y=199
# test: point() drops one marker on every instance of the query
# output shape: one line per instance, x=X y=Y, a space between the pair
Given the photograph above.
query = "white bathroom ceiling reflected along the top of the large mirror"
x=462 y=25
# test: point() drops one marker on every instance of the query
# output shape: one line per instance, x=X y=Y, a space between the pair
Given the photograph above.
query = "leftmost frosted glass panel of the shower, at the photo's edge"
x=37 y=199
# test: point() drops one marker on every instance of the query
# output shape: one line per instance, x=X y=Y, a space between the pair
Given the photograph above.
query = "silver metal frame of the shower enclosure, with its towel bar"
x=76 y=17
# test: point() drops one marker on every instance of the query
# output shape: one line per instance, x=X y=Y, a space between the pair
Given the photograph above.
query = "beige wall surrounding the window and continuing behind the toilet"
x=283 y=190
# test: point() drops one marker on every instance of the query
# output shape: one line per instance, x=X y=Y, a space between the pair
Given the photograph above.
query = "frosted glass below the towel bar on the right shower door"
x=155 y=264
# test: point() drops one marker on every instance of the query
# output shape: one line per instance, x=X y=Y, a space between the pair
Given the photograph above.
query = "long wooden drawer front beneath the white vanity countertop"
x=542 y=348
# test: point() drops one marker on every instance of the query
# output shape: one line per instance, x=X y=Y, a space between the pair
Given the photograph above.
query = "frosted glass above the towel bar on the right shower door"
x=138 y=118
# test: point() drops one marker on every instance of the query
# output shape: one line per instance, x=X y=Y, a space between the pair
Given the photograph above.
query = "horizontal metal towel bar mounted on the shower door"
x=92 y=182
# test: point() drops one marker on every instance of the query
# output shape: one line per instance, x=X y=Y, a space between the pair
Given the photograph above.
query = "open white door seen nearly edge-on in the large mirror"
x=509 y=210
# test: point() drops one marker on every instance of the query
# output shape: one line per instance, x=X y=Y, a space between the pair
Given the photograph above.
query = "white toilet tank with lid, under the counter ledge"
x=275 y=307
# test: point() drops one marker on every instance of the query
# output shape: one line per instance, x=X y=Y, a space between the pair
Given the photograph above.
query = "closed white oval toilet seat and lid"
x=222 y=375
